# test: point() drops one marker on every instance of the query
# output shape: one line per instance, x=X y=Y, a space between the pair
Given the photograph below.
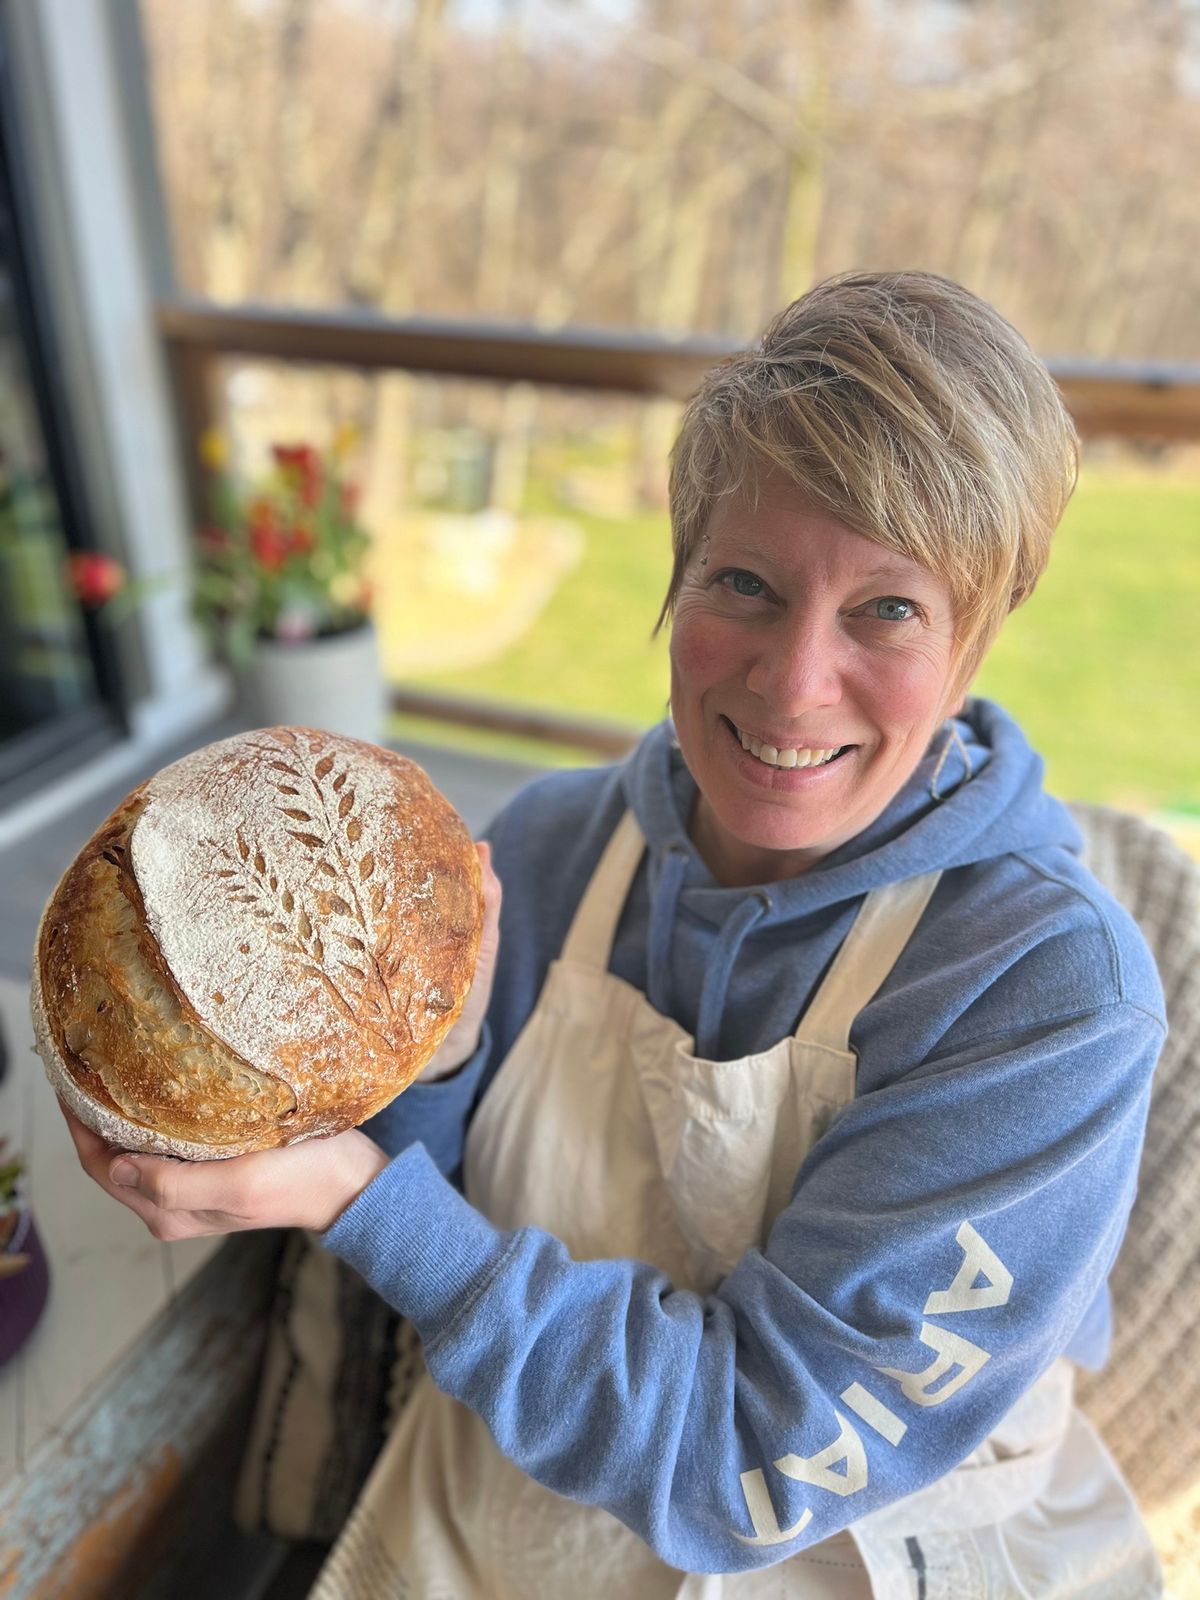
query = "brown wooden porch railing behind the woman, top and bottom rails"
x=1122 y=399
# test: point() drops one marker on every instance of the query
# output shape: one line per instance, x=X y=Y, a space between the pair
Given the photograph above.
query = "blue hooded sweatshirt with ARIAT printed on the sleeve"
x=1004 y=1076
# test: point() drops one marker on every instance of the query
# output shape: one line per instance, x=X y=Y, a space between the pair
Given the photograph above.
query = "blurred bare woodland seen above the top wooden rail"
x=687 y=166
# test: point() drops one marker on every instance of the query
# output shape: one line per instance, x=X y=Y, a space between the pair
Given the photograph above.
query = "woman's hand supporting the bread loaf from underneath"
x=306 y=1185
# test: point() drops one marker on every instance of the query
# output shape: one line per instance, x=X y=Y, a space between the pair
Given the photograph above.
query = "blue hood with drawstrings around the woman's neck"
x=975 y=794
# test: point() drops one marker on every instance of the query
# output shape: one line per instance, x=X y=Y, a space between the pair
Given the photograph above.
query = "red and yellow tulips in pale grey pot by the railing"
x=281 y=591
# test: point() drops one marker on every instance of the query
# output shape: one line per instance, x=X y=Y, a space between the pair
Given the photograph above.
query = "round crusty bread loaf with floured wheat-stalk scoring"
x=266 y=942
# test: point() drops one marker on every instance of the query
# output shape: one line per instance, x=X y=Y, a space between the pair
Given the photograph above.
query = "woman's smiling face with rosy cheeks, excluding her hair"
x=794 y=639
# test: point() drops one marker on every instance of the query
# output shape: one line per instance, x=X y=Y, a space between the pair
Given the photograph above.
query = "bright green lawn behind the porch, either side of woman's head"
x=1102 y=666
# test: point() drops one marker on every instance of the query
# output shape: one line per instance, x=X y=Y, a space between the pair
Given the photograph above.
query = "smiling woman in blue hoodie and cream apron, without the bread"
x=799 y=1130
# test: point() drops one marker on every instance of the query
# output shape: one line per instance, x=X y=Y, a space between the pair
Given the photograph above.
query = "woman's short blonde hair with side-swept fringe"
x=914 y=414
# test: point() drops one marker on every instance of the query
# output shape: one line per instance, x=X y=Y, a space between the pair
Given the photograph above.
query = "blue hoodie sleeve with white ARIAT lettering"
x=943 y=1242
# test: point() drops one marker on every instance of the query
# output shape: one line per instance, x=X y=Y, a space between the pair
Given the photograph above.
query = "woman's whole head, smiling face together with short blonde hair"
x=857 y=506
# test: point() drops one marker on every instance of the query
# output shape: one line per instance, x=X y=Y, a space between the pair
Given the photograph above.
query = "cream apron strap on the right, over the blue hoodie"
x=871 y=950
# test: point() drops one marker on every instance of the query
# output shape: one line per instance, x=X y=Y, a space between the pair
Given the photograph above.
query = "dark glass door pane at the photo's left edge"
x=46 y=668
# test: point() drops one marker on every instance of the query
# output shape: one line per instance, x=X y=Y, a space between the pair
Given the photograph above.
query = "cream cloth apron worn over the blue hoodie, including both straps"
x=604 y=1129
